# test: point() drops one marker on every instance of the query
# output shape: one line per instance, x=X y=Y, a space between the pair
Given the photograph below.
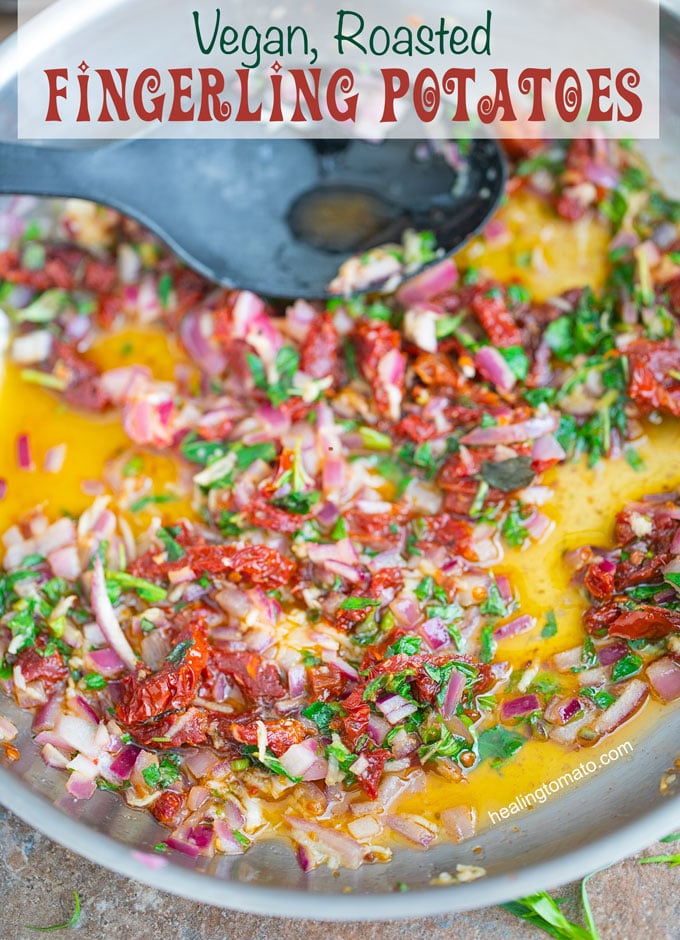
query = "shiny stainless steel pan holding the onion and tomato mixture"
x=612 y=814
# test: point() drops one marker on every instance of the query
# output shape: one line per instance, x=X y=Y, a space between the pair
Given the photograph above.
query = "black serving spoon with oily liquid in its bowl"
x=278 y=217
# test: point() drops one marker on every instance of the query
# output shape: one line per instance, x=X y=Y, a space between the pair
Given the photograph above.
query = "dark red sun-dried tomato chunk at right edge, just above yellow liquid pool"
x=654 y=369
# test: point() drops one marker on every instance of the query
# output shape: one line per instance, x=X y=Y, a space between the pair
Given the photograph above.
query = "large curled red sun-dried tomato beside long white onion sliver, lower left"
x=172 y=688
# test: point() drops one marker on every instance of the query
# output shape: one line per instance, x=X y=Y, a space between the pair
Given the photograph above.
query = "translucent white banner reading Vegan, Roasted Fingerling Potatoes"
x=410 y=68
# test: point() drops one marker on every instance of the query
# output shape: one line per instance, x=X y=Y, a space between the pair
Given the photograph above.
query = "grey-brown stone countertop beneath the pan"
x=38 y=877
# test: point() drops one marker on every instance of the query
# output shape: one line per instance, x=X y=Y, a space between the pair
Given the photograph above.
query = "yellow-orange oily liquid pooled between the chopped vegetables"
x=582 y=507
